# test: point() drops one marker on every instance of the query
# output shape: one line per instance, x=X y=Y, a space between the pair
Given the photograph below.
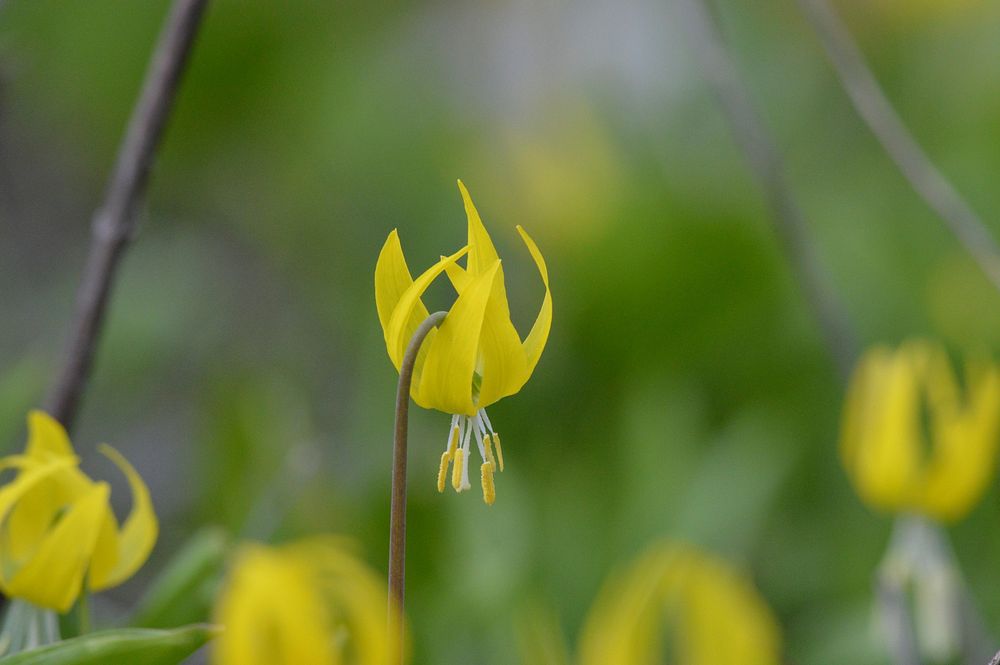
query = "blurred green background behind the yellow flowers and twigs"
x=685 y=391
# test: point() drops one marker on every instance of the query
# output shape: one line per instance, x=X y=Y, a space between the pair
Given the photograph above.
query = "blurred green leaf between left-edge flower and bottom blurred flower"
x=184 y=591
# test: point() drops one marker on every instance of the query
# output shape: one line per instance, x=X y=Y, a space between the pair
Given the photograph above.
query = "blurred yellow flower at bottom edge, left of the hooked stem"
x=308 y=603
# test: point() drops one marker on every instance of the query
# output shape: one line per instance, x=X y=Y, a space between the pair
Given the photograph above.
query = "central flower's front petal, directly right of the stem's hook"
x=446 y=381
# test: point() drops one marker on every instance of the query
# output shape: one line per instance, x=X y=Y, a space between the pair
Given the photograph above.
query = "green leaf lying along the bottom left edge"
x=122 y=646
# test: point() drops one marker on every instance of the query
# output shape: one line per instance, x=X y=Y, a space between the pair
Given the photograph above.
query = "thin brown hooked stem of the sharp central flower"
x=397 y=511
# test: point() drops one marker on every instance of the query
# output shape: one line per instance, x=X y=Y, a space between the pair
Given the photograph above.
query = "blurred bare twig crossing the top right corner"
x=877 y=111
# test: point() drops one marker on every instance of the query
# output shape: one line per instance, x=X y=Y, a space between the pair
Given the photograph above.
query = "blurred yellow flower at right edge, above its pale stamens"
x=914 y=439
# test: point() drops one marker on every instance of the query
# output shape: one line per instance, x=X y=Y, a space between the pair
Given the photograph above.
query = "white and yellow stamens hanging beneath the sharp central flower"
x=458 y=452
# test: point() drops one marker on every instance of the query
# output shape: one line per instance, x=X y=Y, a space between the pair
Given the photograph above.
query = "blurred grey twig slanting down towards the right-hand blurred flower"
x=766 y=164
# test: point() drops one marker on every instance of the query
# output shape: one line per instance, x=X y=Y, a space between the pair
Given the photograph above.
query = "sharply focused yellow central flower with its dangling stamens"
x=475 y=357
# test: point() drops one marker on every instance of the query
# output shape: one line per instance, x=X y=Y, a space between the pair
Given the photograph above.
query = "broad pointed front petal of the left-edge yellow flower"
x=53 y=576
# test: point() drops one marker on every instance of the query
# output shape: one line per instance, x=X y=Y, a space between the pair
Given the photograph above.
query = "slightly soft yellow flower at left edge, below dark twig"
x=58 y=526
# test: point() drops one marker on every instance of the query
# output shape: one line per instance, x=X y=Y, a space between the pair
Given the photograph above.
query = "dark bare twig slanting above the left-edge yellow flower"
x=114 y=223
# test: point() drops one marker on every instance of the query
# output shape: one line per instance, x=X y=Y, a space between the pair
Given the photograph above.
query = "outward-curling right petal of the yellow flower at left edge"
x=139 y=531
